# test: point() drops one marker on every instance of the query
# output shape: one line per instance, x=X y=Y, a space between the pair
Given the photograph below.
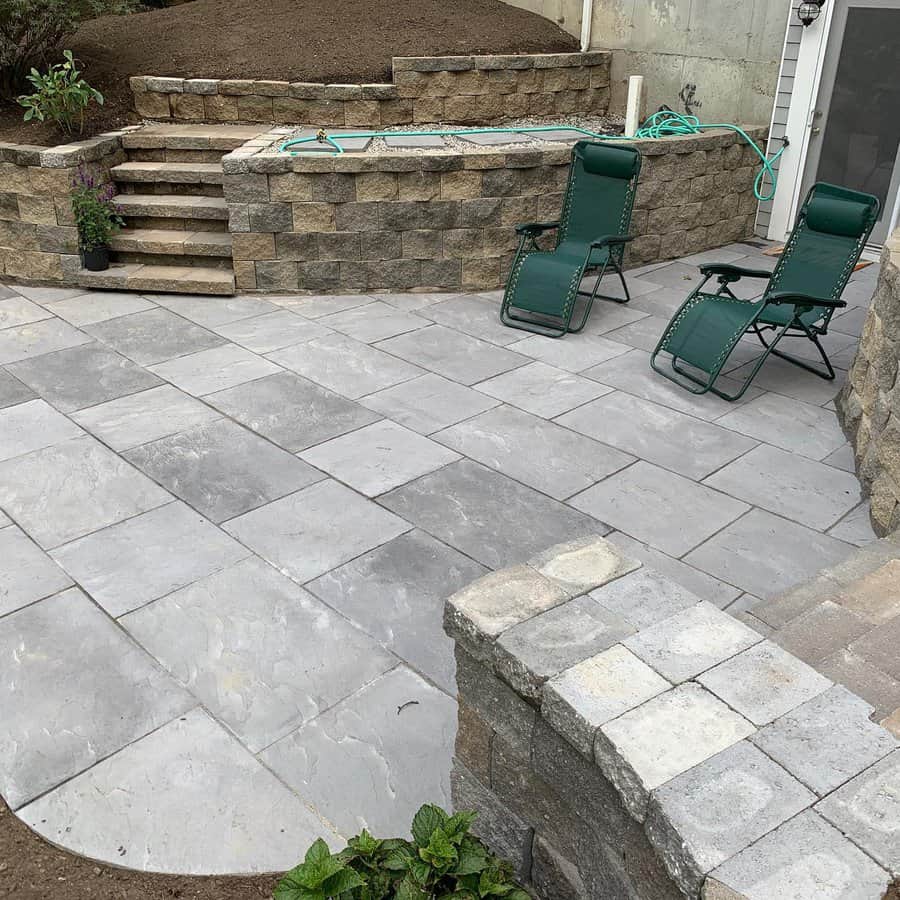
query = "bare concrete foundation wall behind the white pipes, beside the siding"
x=716 y=60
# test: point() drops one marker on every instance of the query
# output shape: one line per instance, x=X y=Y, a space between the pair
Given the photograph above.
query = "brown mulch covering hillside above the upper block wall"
x=328 y=41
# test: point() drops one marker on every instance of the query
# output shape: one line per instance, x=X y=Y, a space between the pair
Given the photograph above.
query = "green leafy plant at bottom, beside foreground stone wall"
x=443 y=860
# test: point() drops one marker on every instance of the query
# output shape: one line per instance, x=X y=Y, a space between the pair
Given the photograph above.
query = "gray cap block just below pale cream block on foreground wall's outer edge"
x=707 y=815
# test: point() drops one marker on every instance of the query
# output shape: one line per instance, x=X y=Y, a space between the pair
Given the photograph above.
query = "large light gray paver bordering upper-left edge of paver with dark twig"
x=258 y=651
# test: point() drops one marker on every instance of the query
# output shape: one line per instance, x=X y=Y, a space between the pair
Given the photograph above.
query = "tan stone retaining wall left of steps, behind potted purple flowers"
x=38 y=239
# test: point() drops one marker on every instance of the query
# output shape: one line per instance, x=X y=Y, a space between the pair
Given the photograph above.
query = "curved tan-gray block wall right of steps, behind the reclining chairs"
x=445 y=220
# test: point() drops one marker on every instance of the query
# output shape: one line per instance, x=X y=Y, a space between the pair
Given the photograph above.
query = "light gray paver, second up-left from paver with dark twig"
x=134 y=562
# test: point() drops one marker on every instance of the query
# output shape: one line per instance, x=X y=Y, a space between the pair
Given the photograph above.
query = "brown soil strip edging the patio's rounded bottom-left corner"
x=32 y=869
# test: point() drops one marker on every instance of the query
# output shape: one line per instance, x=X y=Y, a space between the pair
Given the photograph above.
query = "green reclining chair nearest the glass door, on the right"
x=802 y=293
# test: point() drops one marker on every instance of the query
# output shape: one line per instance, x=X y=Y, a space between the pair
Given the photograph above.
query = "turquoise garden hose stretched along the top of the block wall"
x=664 y=123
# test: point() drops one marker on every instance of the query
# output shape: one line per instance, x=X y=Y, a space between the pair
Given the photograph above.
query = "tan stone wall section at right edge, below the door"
x=869 y=404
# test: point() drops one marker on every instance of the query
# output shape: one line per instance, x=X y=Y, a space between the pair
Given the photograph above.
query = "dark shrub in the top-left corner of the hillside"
x=32 y=31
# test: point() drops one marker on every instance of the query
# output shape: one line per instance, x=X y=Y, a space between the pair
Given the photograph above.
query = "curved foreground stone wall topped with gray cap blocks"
x=621 y=738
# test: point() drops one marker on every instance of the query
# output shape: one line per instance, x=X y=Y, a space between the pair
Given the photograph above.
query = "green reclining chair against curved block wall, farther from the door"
x=544 y=285
